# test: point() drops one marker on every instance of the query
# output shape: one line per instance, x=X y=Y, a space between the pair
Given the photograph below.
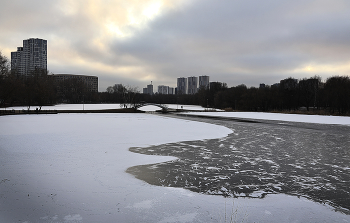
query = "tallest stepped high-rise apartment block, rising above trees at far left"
x=33 y=55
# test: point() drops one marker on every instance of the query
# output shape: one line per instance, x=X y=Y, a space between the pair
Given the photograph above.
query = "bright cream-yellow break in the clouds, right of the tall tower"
x=115 y=21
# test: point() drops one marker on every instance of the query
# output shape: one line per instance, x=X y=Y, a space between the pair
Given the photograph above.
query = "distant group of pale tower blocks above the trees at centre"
x=188 y=85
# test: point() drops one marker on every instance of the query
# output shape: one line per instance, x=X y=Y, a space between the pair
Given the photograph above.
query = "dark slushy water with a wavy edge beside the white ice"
x=267 y=157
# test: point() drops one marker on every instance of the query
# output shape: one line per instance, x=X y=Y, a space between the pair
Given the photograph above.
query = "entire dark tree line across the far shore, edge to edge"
x=39 y=88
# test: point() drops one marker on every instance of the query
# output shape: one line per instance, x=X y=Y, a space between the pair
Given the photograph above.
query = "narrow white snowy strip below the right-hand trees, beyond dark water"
x=338 y=120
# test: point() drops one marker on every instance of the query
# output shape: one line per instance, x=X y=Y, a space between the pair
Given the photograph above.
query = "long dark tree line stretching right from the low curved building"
x=331 y=96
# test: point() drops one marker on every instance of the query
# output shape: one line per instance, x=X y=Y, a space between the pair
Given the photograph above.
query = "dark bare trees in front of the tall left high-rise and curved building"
x=39 y=88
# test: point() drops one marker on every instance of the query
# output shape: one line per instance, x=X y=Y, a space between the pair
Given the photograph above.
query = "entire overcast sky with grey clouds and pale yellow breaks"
x=135 y=42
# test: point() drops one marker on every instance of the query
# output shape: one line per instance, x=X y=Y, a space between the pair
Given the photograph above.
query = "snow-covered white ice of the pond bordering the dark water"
x=72 y=168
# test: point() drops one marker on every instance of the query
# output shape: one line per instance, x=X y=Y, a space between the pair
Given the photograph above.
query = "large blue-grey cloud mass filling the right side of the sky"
x=249 y=39
